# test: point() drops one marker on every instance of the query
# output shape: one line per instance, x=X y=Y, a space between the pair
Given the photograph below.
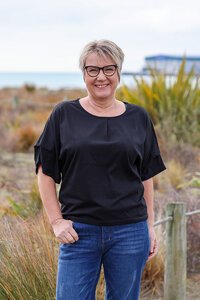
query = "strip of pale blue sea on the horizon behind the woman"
x=54 y=81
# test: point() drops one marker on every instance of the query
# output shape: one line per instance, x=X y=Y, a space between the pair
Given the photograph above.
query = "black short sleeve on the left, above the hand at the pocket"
x=47 y=149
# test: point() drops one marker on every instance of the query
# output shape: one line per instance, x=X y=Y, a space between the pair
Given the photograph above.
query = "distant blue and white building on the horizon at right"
x=170 y=64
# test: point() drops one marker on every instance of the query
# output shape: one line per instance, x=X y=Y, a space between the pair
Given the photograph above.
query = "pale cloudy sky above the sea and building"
x=48 y=36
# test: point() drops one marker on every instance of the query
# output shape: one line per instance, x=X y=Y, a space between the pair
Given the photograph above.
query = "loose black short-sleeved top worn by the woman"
x=100 y=162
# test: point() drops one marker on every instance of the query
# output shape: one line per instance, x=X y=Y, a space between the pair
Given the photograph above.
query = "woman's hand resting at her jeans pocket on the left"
x=64 y=231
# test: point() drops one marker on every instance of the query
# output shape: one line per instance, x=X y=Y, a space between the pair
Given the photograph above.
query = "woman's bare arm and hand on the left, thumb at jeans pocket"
x=62 y=228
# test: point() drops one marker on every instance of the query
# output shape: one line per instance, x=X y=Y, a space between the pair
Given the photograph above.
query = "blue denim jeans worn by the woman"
x=121 y=249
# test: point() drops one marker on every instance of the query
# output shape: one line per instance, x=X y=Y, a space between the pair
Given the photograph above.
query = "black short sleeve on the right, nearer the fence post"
x=152 y=162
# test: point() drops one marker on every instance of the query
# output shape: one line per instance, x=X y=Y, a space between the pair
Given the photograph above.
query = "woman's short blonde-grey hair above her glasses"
x=104 y=48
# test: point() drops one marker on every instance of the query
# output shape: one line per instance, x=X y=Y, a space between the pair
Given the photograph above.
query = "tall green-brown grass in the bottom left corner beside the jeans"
x=28 y=260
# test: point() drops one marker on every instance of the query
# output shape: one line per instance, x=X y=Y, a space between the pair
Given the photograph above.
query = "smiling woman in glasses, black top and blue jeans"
x=105 y=153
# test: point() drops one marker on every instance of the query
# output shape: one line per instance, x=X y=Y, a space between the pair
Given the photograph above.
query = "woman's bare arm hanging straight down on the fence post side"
x=149 y=198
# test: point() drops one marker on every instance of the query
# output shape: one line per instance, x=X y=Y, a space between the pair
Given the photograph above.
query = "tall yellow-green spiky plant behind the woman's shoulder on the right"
x=174 y=105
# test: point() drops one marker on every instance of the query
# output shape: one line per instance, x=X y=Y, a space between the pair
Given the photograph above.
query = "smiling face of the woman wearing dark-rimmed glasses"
x=101 y=87
